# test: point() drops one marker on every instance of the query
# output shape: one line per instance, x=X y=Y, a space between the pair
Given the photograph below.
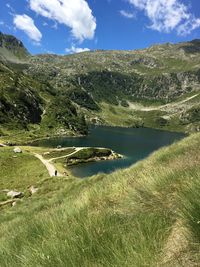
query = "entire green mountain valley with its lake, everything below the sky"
x=127 y=122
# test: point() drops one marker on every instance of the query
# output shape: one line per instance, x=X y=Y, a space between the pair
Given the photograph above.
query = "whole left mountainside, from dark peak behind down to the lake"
x=27 y=103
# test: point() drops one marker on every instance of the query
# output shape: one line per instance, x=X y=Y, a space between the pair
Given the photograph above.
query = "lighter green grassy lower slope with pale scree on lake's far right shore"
x=181 y=115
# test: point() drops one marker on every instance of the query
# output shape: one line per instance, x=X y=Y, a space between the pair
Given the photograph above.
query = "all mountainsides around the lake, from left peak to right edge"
x=63 y=91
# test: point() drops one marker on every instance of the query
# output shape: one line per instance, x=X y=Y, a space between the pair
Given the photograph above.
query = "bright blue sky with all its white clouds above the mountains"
x=69 y=26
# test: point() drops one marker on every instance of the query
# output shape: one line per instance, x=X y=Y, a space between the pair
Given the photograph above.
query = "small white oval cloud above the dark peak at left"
x=26 y=24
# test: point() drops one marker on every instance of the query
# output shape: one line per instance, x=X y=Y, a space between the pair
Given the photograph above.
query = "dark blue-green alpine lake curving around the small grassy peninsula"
x=133 y=143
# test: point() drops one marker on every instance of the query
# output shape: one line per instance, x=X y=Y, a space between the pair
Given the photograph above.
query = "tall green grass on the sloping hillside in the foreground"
x=147 y=215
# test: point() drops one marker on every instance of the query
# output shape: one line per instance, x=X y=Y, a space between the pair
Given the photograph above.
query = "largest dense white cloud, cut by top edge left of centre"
x=75 y=14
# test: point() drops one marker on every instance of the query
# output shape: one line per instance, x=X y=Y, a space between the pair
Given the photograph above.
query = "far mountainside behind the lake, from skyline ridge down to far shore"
x=160 y=74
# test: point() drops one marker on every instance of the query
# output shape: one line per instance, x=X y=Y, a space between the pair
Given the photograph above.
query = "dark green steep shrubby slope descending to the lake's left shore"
x=25 y=102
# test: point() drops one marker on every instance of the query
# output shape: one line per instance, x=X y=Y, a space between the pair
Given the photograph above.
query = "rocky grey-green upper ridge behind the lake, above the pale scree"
x=160 y=72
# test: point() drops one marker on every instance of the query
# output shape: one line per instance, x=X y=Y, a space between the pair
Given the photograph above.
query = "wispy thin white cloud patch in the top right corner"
x=168 y=15
